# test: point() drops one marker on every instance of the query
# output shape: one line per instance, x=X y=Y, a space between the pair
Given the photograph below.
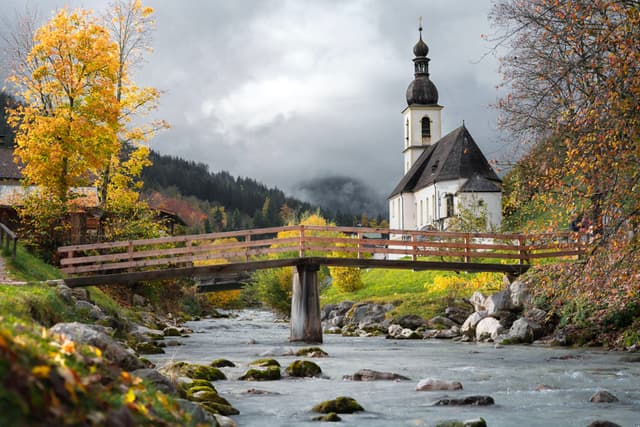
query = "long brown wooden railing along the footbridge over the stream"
x=316 y=241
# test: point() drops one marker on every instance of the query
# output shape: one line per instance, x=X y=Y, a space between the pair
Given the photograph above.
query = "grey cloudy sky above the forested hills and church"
x=286 y=91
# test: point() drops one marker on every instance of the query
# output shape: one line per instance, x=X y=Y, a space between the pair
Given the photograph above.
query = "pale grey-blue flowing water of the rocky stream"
x=509 y=374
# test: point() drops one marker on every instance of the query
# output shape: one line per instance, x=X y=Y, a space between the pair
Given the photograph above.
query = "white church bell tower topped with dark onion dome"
x=422 y=123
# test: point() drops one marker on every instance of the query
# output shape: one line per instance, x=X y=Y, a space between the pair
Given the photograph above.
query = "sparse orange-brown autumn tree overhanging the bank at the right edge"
x=572 y=78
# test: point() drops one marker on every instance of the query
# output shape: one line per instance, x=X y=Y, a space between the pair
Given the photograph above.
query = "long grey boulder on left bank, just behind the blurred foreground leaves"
x=94 y=335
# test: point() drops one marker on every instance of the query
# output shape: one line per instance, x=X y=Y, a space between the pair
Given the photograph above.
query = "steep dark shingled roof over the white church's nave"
x=454 y=156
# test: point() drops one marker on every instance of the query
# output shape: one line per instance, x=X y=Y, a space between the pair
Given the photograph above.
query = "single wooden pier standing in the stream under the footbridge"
x=305 y=305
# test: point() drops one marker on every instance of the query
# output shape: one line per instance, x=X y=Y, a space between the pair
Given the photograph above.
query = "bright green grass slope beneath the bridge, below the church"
x=413 y=292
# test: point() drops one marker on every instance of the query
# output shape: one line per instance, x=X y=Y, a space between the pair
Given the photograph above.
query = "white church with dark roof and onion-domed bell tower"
x=442 y=175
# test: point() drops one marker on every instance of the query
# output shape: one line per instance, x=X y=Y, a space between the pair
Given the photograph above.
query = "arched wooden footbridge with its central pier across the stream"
x=307 y=248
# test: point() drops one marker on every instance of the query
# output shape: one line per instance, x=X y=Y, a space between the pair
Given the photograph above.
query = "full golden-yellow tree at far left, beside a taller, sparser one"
x=66 y=130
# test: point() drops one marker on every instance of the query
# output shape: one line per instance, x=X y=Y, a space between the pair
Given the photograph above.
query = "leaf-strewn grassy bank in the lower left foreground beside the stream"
x=46 y=380
